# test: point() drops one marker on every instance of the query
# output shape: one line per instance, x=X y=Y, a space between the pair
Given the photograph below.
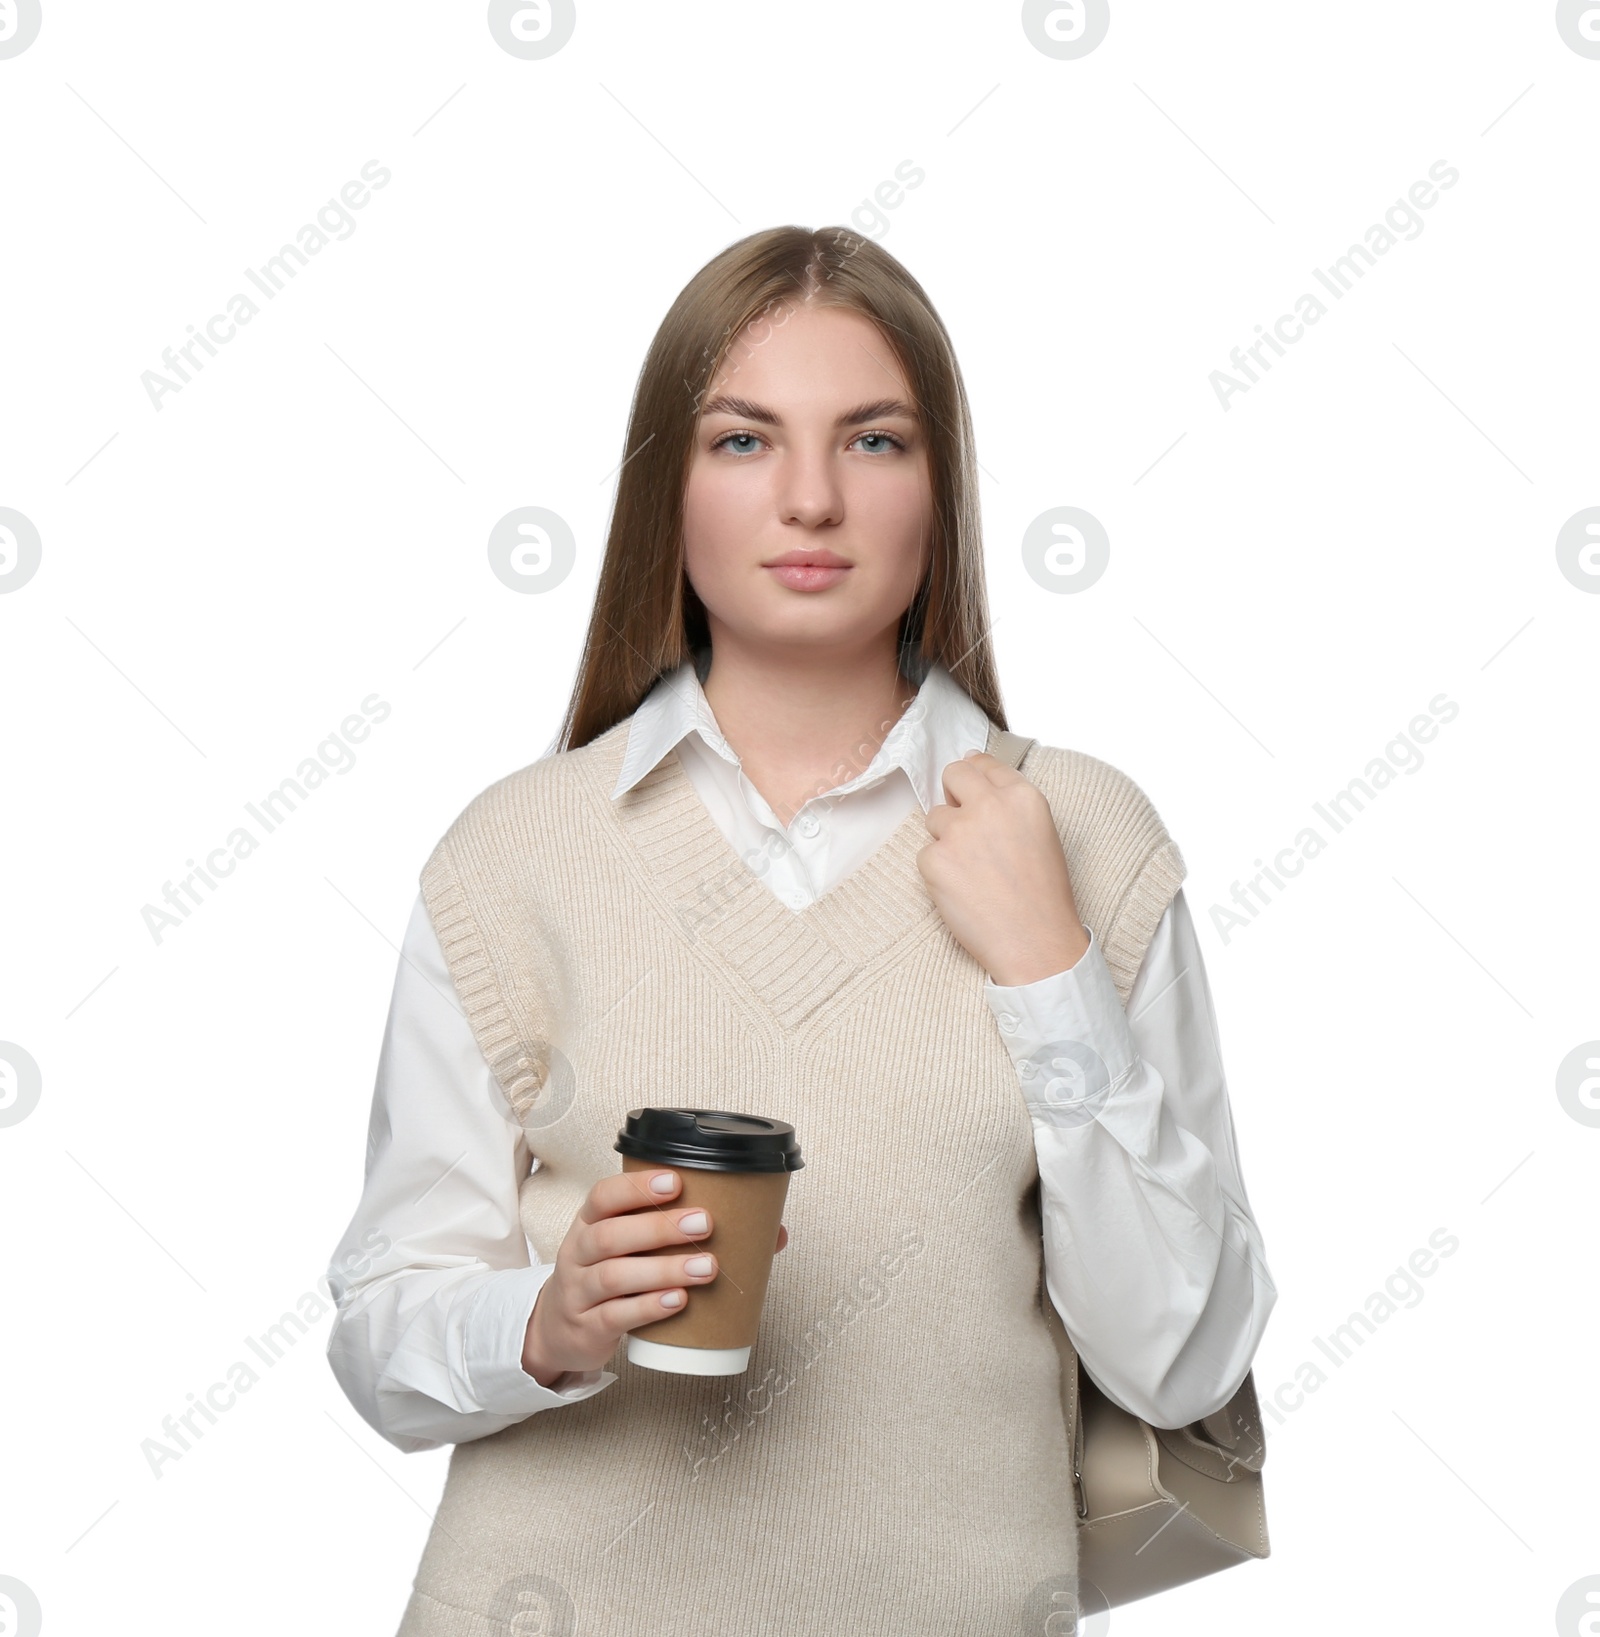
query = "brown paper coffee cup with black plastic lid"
x=738 y=1168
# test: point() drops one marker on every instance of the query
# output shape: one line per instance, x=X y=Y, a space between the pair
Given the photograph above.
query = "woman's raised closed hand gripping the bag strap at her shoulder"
x=998 y=875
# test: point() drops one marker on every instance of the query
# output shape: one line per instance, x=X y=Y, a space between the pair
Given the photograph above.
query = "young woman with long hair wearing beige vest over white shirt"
x=777 y=868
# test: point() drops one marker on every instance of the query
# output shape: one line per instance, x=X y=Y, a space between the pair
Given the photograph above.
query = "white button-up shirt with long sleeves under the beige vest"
x=1152 y=1255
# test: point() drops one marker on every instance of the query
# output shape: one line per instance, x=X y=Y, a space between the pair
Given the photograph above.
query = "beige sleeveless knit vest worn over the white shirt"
x=895 y=1459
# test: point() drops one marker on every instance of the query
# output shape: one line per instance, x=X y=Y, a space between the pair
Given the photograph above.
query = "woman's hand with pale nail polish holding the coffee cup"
x=600 y=1289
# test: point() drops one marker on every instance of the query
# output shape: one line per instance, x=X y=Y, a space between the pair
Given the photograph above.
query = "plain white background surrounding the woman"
x=1291 y=580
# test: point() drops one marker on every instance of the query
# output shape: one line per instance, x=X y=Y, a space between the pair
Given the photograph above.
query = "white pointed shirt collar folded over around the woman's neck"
x=941 y=726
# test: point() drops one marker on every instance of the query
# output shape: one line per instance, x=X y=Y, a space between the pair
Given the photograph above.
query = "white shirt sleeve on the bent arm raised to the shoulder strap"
x=1152 y=1253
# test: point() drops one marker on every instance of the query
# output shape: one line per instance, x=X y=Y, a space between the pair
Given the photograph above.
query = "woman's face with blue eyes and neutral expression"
x=808 y=453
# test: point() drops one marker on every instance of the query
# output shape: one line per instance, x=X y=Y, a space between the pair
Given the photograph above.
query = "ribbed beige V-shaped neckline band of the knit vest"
x=793 y=962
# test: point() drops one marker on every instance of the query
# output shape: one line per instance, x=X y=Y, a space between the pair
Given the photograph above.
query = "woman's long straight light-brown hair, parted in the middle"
x=648 y=618
